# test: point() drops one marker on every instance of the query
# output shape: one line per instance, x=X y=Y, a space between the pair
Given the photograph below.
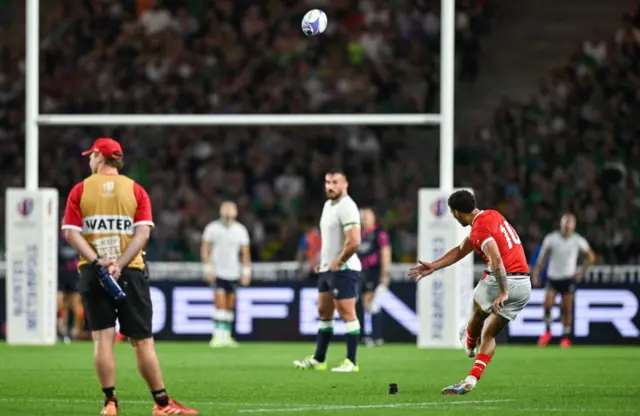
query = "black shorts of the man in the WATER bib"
x=134 y=312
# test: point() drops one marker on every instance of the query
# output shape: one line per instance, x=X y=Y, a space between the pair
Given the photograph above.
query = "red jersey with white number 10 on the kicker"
x=490 y=225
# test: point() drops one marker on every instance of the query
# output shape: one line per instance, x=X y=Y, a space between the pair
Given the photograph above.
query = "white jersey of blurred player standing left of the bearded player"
x=226 y=243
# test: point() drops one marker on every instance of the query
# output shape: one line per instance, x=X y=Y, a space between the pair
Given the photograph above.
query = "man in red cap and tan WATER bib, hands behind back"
x=108 y=221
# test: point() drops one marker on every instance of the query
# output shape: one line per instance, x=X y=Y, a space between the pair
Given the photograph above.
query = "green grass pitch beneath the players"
x=260 y=379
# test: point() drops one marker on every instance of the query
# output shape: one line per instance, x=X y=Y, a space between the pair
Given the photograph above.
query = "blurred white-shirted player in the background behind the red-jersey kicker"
x=562 y=249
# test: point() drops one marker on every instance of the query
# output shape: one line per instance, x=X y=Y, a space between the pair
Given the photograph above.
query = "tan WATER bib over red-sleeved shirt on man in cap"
x=106 y=209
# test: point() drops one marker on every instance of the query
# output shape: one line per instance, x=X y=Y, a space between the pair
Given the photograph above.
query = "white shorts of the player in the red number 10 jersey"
x=486 y=292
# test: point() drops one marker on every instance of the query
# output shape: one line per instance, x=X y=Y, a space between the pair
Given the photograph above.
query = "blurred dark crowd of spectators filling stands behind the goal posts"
x=571 y=147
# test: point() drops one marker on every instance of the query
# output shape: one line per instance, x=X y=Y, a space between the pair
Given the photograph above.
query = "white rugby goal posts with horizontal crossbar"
x=34 y=120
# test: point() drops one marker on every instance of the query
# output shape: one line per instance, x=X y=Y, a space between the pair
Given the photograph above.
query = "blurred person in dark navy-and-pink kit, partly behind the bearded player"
x=375 y=256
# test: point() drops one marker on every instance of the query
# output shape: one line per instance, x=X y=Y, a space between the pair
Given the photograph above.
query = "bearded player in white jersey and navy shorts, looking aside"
x=338 y=274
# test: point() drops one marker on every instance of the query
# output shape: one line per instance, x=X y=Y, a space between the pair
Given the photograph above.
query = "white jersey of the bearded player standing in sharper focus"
x=336 y=216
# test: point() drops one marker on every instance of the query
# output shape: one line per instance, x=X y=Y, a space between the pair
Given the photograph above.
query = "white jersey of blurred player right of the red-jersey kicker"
x=563 y=254
